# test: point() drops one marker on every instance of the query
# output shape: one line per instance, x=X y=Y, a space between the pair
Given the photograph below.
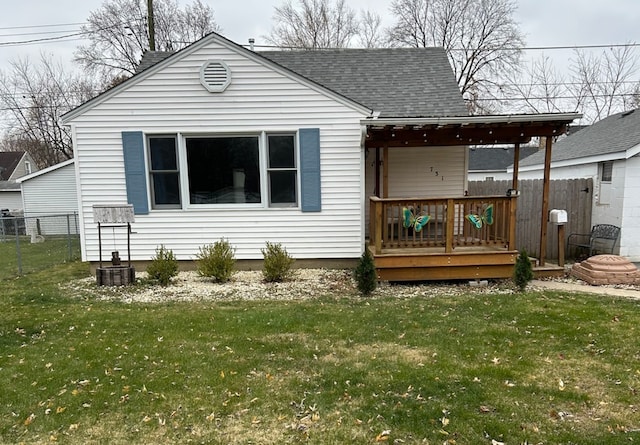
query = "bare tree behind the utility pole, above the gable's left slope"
x=118 y=33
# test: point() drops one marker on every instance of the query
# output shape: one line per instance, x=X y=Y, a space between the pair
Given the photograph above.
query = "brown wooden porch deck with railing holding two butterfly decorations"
x=450 y=246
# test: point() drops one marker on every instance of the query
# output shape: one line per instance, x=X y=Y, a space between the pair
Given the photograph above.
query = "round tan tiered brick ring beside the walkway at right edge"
x=606 y=269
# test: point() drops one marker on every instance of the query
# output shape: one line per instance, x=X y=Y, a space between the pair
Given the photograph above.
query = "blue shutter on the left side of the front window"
x=135 y=171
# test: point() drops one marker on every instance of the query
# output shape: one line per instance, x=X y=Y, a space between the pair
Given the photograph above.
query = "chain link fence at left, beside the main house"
x=32 y=243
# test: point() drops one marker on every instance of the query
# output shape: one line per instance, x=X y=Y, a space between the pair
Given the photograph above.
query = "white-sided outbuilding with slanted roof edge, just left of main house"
x=50 y=195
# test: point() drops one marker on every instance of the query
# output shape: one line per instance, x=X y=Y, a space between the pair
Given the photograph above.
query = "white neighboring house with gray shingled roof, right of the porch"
x=608 y=152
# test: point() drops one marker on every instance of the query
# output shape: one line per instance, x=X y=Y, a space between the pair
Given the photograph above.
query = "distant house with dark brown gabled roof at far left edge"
x=13 y=165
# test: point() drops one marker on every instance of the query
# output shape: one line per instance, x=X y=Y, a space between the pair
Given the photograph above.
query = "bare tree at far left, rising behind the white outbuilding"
x=32 y=99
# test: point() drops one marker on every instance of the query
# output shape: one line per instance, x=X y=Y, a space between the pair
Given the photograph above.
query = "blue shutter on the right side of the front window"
x=310 y=169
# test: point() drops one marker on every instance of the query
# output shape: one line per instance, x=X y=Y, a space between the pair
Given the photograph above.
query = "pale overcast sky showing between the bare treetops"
x=544 y=22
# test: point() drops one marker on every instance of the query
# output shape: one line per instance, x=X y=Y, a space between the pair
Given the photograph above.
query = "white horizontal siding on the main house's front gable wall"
x=258 y=99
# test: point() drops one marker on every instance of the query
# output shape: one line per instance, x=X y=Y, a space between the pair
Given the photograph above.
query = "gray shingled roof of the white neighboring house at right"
x=614 y=134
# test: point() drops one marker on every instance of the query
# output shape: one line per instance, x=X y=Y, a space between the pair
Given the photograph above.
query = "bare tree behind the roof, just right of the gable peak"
x=314 y=24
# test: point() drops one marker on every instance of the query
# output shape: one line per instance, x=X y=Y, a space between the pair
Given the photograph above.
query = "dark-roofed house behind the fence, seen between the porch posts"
x=492 y=163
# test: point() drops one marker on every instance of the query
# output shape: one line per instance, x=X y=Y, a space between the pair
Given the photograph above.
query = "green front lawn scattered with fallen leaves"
x=528 y=368
